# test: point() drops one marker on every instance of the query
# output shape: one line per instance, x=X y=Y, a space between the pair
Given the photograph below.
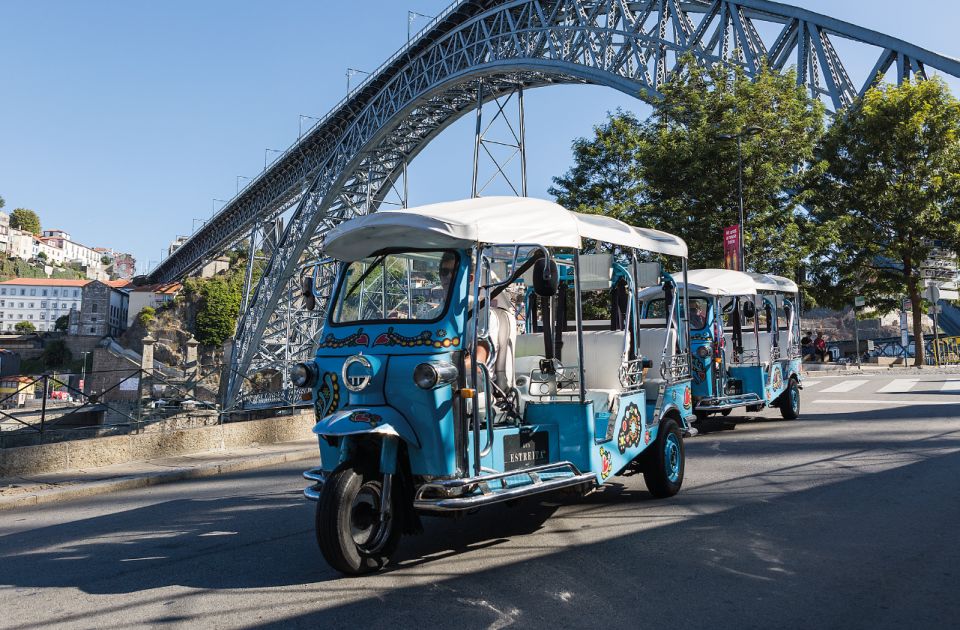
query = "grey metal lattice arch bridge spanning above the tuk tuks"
x=474 y=52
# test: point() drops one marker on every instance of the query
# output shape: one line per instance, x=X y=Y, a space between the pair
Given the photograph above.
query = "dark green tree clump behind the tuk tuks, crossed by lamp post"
x=674 y=173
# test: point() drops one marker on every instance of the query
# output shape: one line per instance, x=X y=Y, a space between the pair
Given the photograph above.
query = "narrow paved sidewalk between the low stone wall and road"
x=72 y=484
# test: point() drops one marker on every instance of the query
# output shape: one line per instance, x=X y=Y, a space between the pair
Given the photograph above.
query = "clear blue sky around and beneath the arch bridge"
x=121 y=120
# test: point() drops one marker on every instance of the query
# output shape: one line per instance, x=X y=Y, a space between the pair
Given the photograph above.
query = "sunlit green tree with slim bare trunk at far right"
x=888 y=188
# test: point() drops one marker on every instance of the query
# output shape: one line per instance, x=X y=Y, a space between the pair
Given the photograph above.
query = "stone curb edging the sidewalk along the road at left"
x=80 y=490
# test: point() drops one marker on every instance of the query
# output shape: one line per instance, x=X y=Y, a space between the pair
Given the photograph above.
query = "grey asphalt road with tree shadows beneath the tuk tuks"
x=846 y=518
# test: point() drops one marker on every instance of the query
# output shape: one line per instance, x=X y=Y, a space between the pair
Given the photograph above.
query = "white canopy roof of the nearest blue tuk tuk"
x=499 y=220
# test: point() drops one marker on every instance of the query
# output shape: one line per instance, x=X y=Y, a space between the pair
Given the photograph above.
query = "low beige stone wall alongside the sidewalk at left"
x=105 y=451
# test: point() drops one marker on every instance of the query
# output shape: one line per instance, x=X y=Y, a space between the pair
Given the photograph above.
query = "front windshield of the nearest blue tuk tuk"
x=405 y=285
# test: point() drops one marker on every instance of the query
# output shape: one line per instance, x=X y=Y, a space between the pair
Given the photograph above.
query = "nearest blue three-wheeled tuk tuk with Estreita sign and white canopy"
x=431 y=398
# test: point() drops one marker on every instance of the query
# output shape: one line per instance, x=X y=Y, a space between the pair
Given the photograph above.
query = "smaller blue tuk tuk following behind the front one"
x=744 y=341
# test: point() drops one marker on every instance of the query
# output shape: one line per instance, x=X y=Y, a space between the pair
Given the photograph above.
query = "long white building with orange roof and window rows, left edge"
x=39 y=301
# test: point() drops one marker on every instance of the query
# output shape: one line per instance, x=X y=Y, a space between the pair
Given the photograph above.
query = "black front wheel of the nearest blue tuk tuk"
x=348 y=521
